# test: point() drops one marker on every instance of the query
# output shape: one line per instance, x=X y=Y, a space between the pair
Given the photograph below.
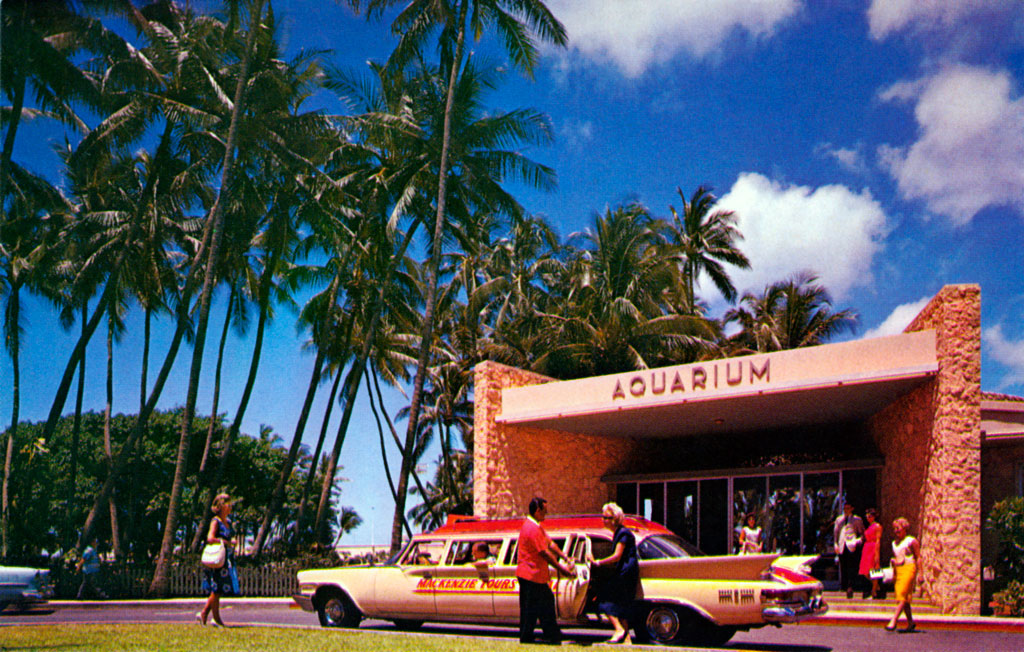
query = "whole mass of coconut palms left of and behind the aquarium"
x=200 y=162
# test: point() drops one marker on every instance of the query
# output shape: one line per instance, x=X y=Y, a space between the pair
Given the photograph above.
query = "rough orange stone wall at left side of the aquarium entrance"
x=513 y=464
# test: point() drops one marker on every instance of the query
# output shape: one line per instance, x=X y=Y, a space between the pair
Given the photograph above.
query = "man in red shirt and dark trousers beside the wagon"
x=536 y=600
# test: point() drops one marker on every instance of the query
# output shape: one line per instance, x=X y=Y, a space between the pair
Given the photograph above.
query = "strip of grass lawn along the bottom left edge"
x=189 y=638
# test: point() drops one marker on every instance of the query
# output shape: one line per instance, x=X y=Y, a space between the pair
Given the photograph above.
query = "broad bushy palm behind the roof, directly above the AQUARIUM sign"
x=611 y=311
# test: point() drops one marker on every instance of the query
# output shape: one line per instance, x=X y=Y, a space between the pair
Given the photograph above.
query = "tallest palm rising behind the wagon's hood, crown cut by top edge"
x=514 y=20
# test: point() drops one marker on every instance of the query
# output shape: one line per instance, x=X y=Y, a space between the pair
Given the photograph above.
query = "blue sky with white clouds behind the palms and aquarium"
x=878 y=144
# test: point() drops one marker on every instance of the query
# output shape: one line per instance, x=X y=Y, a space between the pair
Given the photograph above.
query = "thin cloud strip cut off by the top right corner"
x=888 y=17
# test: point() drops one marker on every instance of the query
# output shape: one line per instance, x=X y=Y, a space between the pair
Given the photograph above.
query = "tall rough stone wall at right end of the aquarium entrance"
x=931 y=441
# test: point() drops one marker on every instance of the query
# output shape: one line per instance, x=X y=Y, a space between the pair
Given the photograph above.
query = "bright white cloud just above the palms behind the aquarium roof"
x=831 y=231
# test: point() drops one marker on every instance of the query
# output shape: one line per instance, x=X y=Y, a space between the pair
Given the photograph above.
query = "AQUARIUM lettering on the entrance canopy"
x=700 y=378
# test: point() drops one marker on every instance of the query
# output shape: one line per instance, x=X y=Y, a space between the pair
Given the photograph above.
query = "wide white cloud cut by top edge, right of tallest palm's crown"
x=635 y=34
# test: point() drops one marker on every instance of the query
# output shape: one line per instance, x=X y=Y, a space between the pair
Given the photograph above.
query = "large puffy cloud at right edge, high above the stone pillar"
x=971 y=144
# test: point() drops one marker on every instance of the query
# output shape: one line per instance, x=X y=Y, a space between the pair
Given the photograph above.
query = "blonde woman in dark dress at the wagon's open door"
x=616 y=596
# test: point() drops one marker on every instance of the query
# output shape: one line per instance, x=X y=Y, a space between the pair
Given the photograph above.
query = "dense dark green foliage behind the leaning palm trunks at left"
x=50 y=516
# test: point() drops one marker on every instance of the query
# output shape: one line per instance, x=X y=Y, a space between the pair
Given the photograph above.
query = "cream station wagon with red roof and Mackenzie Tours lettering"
x=685 y=598
